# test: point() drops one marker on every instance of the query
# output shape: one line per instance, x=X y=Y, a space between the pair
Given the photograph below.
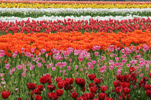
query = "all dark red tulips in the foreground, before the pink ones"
x=121 y=85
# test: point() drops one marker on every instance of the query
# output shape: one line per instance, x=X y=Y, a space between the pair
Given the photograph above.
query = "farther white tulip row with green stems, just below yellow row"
x=29 y=12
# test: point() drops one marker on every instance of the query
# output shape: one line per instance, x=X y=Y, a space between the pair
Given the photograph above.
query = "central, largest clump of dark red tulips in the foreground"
x=66 y=85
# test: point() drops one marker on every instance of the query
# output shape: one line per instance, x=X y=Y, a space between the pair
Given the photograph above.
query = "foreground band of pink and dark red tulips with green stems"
x=69 y=73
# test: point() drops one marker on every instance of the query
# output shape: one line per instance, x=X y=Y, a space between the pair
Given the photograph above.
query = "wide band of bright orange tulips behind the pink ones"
x=76 y=40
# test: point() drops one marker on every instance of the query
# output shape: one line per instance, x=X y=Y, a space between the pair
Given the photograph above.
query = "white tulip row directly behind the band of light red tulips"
x=81 y=18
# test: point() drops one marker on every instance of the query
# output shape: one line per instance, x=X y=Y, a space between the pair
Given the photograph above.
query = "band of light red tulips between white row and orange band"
x=70 y=25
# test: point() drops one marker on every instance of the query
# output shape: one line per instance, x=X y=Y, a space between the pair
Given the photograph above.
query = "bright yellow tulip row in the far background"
x=92 y=5
